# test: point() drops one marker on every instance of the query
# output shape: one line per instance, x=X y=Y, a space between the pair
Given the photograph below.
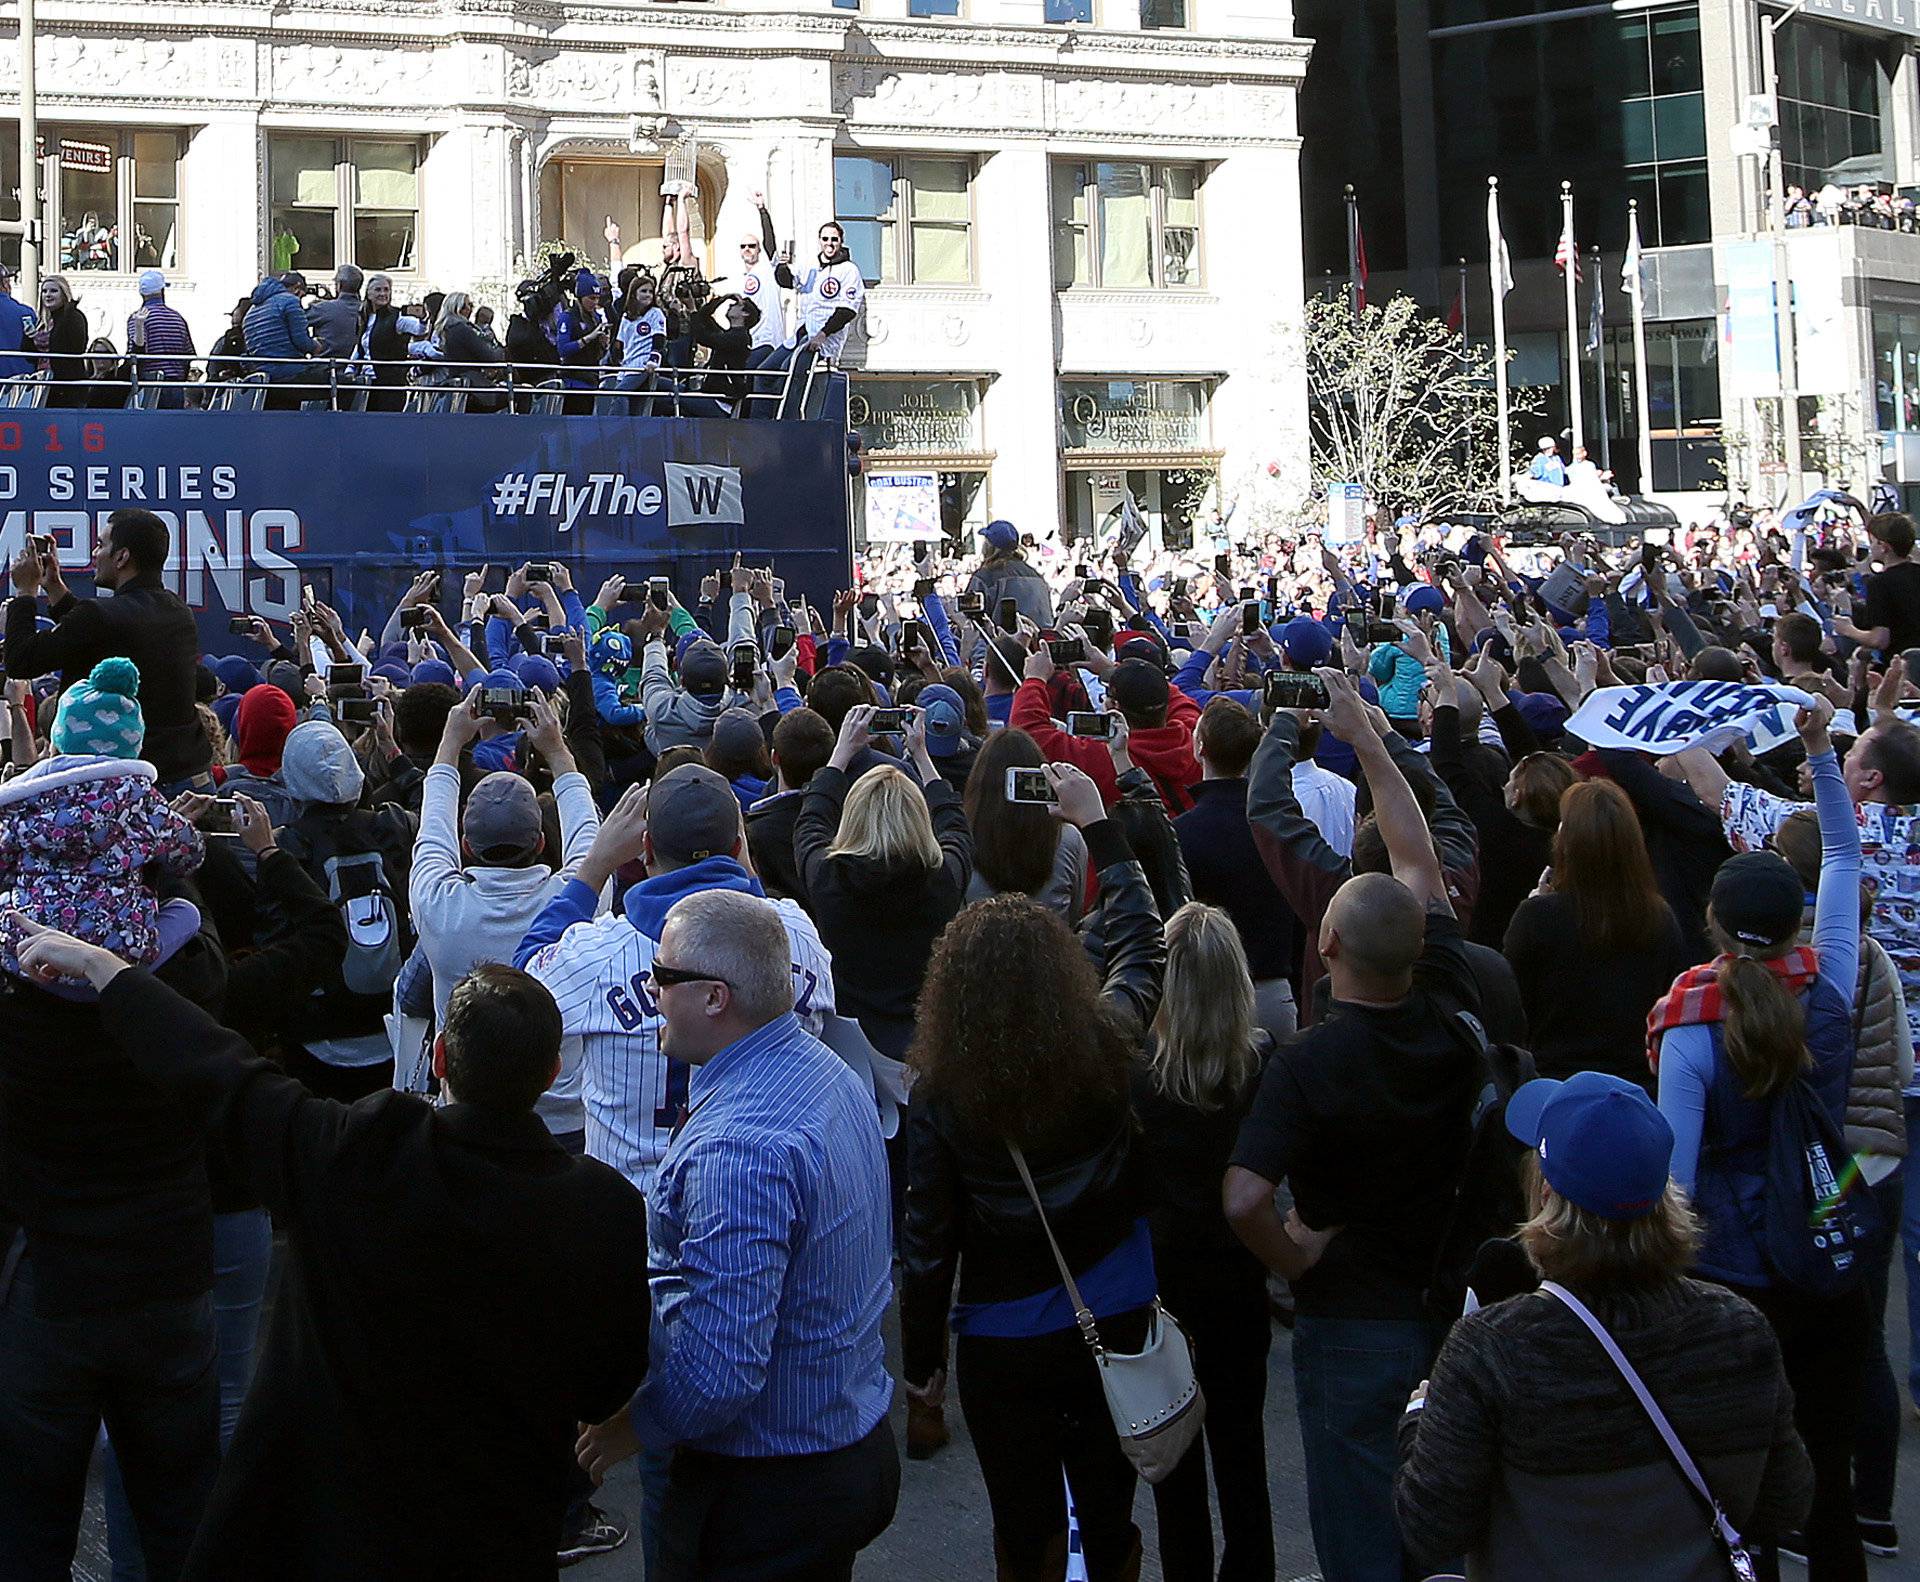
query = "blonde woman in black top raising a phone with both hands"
x=886 y=865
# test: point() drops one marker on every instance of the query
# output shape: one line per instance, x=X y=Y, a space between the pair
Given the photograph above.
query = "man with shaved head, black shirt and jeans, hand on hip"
x=1368 y=1118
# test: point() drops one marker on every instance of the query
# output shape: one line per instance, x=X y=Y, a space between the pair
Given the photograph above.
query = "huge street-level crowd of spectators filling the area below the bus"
x=610 y=1013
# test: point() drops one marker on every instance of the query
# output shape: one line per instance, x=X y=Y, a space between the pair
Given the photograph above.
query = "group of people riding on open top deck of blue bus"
x=644 y=343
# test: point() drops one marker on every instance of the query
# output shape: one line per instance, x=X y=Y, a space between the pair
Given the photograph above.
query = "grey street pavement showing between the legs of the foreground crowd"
x=946 y=1535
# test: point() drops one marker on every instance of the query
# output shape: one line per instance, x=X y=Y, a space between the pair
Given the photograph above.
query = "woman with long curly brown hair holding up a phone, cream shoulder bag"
x=1020 y=1043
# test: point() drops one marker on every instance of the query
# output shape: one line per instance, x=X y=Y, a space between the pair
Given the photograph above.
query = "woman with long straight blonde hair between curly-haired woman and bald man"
x=1203 y=1063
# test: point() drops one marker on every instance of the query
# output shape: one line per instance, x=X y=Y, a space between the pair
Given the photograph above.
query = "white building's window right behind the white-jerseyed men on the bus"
x=909 y=220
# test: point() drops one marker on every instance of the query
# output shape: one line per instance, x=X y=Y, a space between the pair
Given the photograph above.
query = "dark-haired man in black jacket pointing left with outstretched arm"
x=460 y=1295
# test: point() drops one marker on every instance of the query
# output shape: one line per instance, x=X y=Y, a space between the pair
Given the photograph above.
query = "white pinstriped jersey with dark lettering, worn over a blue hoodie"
x=635 y=1093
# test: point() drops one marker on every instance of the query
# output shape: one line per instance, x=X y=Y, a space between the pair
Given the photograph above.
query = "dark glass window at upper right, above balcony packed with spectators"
x=1833 y=107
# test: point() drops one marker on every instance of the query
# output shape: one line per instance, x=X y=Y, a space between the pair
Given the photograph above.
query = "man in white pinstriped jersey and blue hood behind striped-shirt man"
x=690 y=836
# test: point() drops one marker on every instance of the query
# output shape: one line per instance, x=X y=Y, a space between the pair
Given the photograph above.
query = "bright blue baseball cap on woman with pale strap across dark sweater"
x=1602 y=1143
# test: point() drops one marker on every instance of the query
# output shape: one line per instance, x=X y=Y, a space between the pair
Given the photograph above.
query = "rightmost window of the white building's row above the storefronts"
x=1124 y=224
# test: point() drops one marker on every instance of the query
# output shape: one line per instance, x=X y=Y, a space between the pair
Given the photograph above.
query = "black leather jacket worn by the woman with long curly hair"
x=967 y=1210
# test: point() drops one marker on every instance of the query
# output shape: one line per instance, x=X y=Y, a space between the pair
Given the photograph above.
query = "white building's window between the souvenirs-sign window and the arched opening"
x=343 y=201
